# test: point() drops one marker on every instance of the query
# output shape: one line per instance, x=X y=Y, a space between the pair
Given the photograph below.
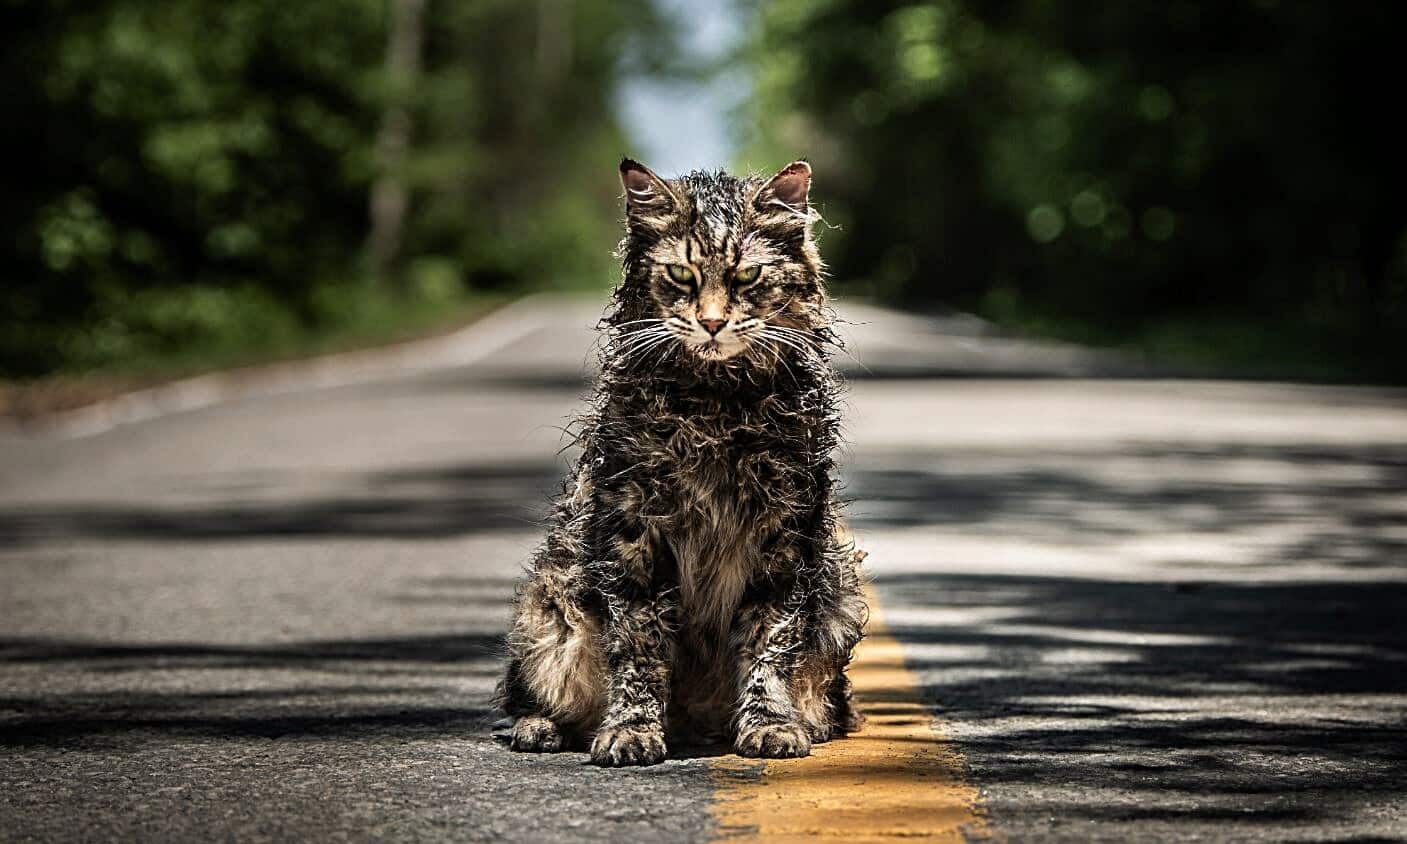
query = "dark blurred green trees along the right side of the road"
x=1107 y=170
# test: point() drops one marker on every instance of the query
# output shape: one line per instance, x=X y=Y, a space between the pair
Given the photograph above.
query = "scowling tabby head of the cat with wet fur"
x=725 y=268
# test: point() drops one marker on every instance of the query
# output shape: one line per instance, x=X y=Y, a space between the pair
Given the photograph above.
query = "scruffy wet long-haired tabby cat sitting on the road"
x=696 y=575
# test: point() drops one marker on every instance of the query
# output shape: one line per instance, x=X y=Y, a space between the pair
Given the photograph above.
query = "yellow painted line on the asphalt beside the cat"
x=900 y=777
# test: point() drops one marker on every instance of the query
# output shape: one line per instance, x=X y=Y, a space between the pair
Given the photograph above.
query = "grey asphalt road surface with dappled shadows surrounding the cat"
x=1140 y=610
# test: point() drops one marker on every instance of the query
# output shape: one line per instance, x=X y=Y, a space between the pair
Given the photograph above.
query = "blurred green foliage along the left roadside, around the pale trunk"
x=198 y=172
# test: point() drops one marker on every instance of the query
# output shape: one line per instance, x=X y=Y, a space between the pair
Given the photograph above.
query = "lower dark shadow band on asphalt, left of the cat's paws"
x=127 y=696
